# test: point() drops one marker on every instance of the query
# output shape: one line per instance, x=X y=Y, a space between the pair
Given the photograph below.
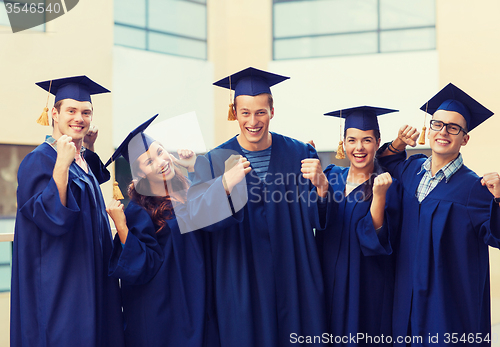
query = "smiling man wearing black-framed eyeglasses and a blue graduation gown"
x=450 y=216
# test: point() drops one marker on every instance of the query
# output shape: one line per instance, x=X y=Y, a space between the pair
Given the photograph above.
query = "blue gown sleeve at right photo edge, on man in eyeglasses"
x=484 y=214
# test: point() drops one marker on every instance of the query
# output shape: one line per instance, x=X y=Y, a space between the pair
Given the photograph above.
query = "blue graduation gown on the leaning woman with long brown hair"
x=163 y=284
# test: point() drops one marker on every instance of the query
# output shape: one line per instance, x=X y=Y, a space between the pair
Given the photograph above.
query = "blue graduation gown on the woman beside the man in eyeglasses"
x=357 y=264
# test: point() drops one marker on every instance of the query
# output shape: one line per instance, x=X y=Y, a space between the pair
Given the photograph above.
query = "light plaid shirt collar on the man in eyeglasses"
x=428 y=182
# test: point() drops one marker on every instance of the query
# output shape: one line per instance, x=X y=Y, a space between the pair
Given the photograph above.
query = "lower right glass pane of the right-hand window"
x=408 y=40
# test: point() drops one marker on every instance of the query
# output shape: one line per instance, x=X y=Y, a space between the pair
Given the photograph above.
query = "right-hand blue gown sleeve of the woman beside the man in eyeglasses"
x=373 y=243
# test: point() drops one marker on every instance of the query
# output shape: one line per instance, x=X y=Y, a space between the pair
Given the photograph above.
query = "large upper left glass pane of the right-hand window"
x=300 y=18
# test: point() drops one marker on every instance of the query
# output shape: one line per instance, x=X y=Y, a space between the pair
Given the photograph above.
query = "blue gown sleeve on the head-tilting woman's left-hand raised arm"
x=138 y=261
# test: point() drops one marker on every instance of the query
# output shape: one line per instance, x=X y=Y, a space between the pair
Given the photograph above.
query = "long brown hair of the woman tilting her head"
x=161 y=208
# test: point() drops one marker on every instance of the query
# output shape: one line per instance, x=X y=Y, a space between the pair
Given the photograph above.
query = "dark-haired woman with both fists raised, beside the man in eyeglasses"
x=356 y=221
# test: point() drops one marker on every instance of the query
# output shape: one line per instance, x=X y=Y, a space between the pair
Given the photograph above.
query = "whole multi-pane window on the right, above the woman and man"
x=322 y=28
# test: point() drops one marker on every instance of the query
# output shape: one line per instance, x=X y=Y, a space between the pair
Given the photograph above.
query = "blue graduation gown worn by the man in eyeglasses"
x=442 y=272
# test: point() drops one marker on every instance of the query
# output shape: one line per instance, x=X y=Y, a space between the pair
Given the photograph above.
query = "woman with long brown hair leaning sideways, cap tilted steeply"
x=162 y=270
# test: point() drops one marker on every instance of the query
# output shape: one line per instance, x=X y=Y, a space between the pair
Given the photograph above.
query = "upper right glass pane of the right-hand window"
x=407 y=13
